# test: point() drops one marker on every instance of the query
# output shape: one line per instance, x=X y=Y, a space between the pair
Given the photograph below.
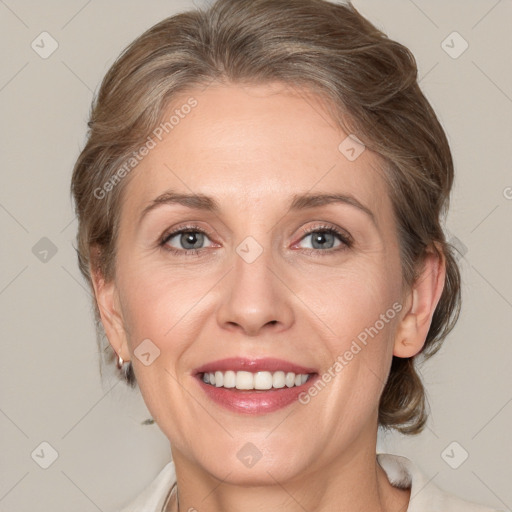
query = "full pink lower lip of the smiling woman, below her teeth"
x=255 y=401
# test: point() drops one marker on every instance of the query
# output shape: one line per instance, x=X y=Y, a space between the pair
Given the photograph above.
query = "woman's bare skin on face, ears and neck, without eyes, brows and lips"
x=251 y=148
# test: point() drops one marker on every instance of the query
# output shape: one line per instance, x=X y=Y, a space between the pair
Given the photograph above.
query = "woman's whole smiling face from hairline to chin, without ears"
x=267 y=274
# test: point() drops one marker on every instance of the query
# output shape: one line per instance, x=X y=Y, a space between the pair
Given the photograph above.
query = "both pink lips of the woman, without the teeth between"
x=254 y=401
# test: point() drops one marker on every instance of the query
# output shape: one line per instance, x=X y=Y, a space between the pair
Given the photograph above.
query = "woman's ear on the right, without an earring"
x=420 y=305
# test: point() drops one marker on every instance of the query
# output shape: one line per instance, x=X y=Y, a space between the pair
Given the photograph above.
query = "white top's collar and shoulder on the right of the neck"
x=425 y=495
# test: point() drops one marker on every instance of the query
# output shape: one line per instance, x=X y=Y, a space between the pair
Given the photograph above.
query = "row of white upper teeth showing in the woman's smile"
x=244 y=380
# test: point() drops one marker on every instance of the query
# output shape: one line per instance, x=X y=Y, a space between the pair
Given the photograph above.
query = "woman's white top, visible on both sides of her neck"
x=401 y=472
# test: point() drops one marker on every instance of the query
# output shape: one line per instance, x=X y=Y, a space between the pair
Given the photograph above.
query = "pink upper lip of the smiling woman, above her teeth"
x=253 y=365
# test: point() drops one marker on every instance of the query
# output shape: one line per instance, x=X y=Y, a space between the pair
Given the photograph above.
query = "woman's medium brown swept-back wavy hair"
x=368 y=80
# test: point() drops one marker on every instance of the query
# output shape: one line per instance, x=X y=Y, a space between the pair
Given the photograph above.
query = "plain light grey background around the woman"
x=51 y=390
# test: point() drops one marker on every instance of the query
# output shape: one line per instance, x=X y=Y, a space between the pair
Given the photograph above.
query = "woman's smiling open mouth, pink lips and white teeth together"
x=254 y=386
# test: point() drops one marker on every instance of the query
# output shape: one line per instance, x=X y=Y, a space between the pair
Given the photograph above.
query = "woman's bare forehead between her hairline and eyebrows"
x=250 y=145
